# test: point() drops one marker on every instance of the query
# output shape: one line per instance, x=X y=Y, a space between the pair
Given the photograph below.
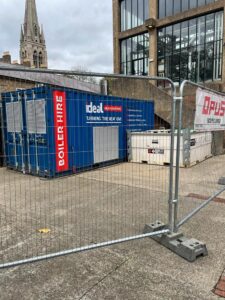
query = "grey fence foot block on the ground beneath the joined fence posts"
x=189 y=249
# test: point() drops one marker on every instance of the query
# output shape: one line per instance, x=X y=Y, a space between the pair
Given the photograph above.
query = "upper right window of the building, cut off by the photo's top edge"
x=168 y=8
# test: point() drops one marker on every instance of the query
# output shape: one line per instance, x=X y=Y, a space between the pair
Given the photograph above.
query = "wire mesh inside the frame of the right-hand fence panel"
x=202 y=146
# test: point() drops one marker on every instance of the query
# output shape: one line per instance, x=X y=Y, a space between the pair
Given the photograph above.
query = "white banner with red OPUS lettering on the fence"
x=210 y=111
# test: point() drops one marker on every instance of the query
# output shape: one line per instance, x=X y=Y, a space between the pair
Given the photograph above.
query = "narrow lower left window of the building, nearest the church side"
x=134 y=55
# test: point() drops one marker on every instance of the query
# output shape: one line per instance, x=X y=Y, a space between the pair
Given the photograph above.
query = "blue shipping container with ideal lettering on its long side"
x=96 y=126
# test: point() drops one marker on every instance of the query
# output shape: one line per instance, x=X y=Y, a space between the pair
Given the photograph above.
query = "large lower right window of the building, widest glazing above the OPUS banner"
x=192 y=49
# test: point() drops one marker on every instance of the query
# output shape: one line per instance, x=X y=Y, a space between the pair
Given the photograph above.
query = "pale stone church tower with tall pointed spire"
x=33 y=51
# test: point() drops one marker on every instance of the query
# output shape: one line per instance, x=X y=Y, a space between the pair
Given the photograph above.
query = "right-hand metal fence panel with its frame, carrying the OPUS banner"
x=198 y=185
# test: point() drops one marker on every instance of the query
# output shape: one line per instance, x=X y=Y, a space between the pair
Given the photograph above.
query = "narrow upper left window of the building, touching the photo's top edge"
x=133 y=13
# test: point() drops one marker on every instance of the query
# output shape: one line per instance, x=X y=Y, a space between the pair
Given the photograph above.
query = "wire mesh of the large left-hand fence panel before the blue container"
x=71 y=176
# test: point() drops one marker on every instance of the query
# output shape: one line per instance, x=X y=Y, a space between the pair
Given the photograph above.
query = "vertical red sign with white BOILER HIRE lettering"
x=61 y=135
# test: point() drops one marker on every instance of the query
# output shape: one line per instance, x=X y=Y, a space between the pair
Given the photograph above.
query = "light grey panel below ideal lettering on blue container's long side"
x=106 y=144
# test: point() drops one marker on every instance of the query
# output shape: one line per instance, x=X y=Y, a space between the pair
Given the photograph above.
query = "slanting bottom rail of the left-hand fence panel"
x=81 y=249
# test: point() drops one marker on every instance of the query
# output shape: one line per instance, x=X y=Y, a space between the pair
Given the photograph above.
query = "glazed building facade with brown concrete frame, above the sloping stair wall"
x=179 y=39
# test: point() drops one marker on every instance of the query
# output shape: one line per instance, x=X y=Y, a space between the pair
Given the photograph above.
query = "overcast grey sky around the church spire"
x=77 y=33
